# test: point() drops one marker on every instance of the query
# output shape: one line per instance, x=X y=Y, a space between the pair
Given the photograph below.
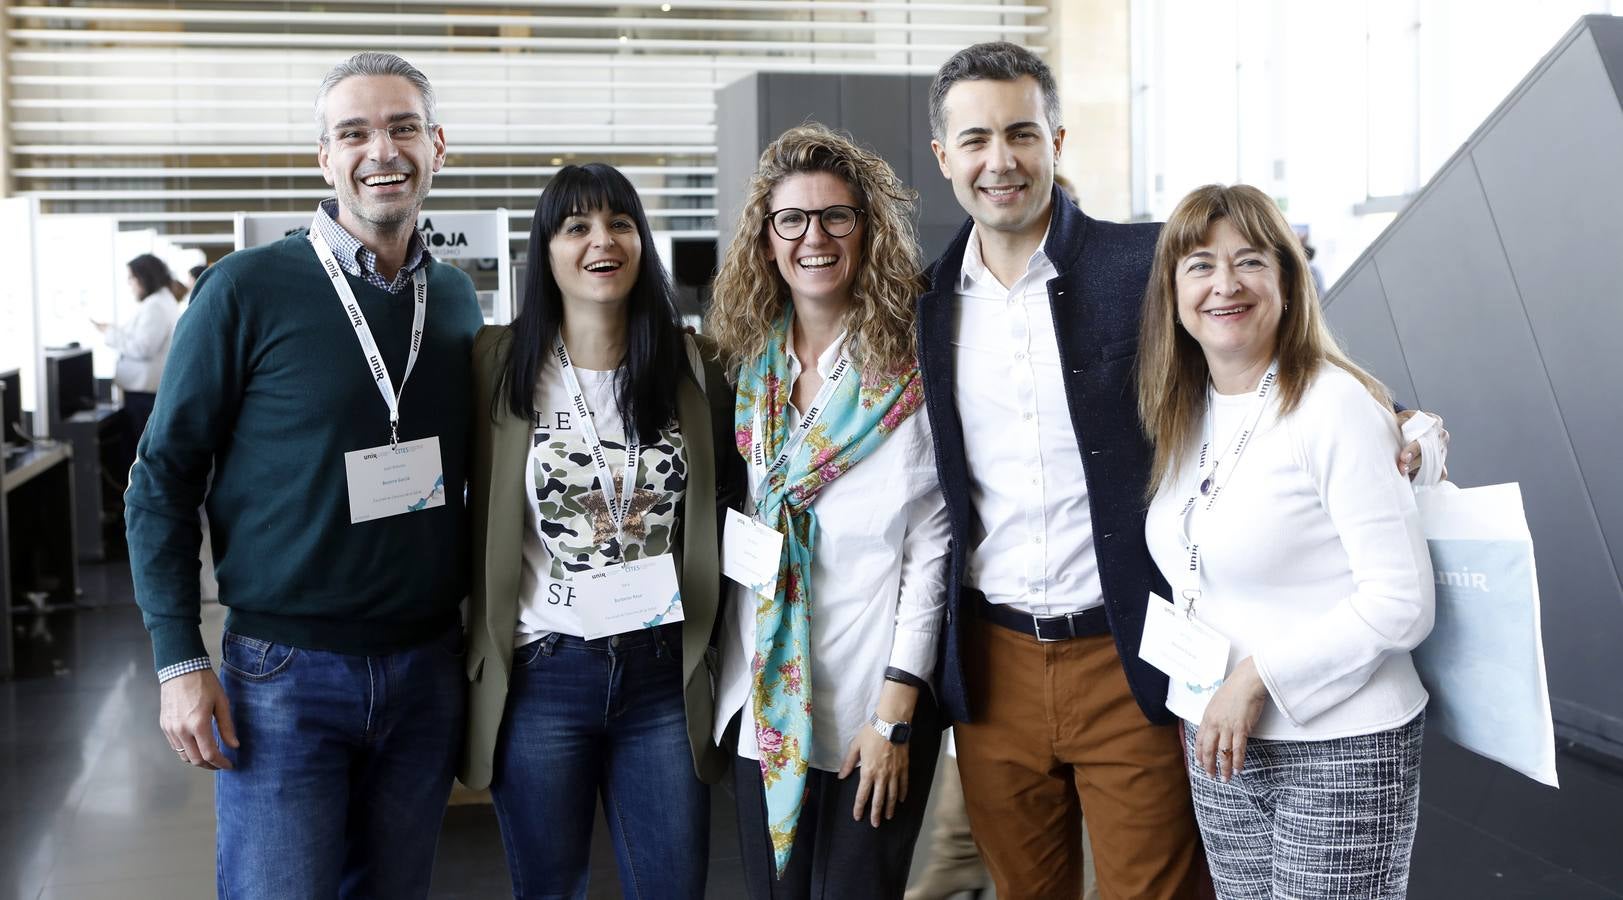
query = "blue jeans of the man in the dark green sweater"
x=345 y=768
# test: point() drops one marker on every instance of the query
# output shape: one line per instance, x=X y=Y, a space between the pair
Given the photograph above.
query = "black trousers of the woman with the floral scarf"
x=837 y=859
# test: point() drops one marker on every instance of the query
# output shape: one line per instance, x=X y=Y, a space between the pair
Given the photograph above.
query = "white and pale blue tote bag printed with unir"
x=1484 y=659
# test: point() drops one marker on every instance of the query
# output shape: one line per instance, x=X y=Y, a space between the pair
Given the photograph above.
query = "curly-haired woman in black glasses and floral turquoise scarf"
x=827 y=667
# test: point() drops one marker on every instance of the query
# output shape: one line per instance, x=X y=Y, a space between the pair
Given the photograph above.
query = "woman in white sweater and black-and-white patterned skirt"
x=1296 y=560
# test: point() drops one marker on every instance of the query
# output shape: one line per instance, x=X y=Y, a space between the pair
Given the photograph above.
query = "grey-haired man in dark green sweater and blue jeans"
x=316 y=401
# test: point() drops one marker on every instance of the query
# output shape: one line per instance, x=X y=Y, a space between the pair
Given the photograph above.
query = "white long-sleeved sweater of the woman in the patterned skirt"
x=1312 y=562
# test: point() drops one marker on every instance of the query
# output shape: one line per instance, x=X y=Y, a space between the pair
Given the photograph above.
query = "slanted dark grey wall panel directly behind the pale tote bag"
x=1473 y=358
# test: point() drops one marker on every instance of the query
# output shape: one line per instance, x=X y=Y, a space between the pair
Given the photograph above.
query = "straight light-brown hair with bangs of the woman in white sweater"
x=1171 y=366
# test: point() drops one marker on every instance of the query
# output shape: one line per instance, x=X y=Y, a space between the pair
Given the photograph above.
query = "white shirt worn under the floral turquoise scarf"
x=879 y=575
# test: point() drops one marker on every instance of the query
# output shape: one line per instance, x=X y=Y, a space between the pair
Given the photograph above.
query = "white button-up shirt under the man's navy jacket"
x=1033 y=542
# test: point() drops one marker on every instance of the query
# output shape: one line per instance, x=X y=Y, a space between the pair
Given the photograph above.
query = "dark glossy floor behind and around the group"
x=93 y=805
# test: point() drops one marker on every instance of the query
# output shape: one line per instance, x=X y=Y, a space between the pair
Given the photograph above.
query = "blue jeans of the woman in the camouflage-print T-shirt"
x=588 y=718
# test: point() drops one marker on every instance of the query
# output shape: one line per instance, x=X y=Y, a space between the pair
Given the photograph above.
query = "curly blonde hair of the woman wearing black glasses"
x=751 y=294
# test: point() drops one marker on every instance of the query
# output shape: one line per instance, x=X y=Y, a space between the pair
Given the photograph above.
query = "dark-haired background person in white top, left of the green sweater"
x=144 y=341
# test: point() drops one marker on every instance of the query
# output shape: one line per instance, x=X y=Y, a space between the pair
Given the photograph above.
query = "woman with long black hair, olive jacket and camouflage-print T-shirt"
x=595 y=497
